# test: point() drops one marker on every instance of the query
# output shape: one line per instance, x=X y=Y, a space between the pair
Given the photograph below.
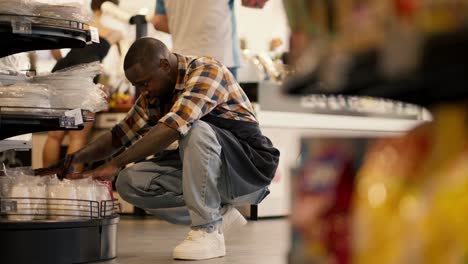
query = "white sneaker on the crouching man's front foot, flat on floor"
x=199 y=245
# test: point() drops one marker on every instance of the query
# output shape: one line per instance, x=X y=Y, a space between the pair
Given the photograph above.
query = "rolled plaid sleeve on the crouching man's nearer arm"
x=205 y=88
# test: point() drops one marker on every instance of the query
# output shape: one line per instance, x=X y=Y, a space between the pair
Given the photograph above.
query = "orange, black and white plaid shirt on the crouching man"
x=204 y=86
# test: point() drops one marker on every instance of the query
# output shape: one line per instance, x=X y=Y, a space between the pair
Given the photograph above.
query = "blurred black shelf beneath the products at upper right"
x=441 y=77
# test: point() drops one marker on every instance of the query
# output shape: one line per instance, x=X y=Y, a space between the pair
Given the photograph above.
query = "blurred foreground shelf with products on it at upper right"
x=396 y=49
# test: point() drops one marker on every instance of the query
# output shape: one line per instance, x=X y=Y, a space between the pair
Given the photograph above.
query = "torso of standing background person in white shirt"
x=201 y=28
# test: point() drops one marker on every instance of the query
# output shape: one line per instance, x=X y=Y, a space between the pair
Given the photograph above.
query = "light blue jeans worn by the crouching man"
x=188 y=186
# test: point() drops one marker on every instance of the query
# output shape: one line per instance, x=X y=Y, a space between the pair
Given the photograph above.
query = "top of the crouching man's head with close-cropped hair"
x=147 y=52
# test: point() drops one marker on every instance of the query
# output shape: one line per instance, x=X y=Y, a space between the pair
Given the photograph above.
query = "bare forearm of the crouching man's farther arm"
x=99 y=149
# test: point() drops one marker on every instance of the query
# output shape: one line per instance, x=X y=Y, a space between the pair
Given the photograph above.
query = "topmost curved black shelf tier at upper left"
x=26 y=33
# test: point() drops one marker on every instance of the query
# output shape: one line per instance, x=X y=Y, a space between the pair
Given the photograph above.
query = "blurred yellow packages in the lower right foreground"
x=411 y=195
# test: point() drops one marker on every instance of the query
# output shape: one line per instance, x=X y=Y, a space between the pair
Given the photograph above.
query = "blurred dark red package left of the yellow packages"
x=323 y=189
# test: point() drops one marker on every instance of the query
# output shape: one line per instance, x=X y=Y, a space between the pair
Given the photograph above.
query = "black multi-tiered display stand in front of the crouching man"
x=84 y=239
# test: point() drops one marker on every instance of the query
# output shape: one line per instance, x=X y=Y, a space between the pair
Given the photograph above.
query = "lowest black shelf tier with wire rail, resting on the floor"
x=88 y=237
